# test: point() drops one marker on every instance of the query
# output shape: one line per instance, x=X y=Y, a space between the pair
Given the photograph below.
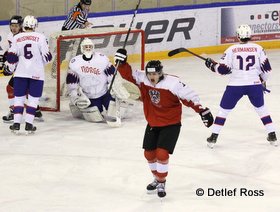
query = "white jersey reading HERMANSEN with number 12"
x=245 y=63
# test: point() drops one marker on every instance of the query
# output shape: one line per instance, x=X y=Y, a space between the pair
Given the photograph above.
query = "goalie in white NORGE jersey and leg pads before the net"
x=87 y=82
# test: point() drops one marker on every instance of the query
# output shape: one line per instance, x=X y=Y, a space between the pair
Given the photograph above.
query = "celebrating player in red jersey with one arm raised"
x=162 y=96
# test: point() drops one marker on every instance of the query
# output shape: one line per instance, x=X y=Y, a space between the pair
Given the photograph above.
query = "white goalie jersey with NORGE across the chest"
x=91 y=75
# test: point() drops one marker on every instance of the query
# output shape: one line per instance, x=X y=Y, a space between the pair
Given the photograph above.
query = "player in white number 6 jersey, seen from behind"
x=26 y=58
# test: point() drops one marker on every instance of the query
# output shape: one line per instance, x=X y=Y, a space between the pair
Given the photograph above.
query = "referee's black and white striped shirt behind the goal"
x=76 y=18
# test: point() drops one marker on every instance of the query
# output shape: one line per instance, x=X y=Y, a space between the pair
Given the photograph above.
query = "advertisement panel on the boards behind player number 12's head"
x=264 y=21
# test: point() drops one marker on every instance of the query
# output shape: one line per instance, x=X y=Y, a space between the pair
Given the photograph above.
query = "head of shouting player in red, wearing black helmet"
x=153 y=71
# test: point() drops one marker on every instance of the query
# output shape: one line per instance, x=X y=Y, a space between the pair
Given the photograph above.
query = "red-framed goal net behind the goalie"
x=65 y=45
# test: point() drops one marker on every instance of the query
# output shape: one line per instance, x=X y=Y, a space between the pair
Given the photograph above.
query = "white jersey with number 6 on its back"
x=29 y=53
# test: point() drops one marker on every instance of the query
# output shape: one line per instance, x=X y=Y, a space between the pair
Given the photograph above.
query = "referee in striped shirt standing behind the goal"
x=77 y=16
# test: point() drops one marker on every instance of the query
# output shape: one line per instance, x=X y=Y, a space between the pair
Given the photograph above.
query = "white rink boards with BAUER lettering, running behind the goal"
x=168 y=29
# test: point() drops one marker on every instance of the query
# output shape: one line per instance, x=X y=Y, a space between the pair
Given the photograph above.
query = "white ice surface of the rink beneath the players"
x=75 y=166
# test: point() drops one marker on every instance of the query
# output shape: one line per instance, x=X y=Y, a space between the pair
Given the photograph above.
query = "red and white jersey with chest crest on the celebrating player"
x=163 y=102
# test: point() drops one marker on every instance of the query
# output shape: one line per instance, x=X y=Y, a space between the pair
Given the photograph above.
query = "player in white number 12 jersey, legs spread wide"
x=249 y=68
